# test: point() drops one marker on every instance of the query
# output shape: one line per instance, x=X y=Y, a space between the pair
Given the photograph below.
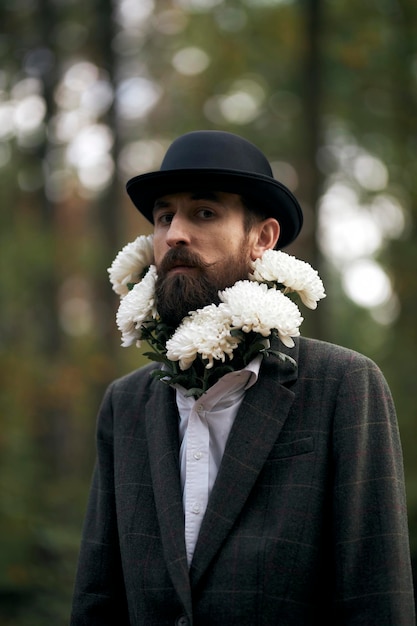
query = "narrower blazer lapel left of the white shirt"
x=162 y=432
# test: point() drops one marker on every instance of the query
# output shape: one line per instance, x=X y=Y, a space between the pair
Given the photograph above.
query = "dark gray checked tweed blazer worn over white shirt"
x=306 y=523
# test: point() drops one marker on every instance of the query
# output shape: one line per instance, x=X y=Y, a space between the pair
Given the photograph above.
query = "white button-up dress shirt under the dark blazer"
x=203 y=429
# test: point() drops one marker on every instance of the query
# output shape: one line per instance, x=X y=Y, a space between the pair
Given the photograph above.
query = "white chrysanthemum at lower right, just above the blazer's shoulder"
x=255 y=308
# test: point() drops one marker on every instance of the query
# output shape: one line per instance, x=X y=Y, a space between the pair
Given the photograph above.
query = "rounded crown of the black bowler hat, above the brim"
x=216 y=150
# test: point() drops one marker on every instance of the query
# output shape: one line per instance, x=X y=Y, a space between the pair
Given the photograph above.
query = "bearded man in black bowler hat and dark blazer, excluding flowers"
x=277 y=497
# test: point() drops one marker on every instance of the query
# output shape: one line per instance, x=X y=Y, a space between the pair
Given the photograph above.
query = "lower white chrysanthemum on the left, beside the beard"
x=137 y=307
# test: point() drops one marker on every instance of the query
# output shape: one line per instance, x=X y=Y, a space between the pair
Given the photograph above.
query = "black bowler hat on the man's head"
x=214 y=160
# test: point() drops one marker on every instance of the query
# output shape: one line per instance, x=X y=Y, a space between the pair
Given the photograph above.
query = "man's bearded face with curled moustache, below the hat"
x=200 y=247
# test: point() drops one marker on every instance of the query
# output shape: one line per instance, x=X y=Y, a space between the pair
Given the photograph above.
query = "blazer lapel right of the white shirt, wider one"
x=255 y=430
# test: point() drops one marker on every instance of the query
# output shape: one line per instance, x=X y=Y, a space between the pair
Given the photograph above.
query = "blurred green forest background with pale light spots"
x=92 y=93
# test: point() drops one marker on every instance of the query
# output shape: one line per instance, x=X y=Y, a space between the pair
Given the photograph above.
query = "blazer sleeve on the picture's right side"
x=372 y=555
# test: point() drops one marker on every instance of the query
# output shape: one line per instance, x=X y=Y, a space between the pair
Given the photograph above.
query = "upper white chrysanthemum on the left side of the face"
x=130 y=263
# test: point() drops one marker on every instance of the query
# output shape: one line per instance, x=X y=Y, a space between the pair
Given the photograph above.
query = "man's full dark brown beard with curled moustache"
x=179 y=294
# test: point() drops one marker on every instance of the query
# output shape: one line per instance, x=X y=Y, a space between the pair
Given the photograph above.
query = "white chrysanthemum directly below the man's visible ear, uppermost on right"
x=295 y=275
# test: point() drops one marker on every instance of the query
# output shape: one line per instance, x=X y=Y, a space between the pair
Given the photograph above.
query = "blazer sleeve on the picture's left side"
x=99 y=597
